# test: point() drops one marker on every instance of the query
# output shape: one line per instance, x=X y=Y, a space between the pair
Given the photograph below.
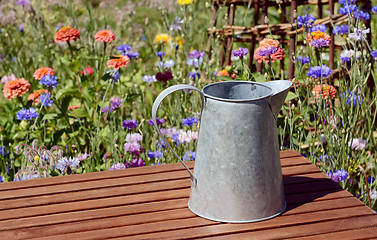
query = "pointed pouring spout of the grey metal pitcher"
x=280 y=90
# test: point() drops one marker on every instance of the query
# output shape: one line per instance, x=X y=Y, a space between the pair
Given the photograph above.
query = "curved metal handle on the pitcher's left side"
x=157 y=103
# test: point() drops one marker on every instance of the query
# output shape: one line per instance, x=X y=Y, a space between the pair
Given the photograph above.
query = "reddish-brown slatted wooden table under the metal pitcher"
x=151 y=203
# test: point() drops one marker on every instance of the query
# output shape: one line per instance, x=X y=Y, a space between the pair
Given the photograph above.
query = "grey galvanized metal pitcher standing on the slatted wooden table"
x=237 y=173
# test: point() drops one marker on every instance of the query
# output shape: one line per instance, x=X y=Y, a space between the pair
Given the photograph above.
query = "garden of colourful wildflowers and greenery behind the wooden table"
x=79 y=79
